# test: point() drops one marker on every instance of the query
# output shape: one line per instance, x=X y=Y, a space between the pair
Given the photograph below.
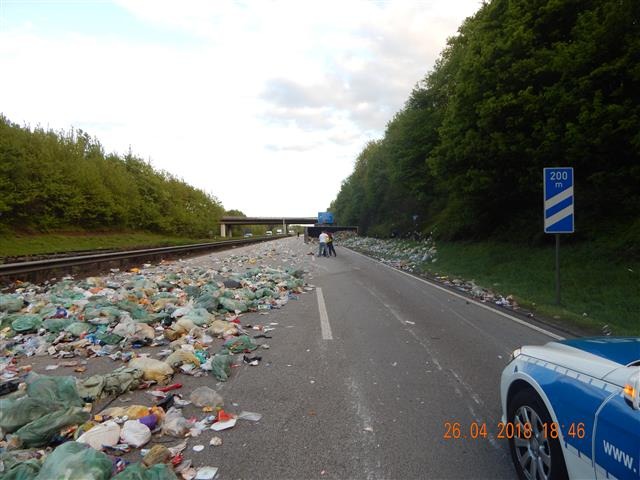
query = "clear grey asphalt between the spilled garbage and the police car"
x=369 y=393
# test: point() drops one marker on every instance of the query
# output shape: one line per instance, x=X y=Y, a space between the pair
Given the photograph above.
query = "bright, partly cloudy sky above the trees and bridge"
x=263 y=104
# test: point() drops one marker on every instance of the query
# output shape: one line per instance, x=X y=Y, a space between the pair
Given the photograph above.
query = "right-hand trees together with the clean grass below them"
x=522 y=86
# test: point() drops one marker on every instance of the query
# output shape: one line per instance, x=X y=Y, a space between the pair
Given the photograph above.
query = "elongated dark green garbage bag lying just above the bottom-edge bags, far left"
x=40 y=432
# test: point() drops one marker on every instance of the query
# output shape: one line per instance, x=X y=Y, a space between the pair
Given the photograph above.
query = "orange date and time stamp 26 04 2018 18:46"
x=478 y=430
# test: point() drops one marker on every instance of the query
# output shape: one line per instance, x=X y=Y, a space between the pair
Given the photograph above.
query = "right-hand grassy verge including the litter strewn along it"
x=600 y=293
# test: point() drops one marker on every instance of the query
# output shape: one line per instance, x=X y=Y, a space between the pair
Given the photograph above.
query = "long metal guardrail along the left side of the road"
x=9 y=271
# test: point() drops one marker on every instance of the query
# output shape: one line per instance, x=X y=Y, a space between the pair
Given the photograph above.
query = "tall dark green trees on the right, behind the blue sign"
x=525 y=84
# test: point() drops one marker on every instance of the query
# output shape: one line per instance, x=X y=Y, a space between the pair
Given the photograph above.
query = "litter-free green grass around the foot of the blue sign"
x=597 y=288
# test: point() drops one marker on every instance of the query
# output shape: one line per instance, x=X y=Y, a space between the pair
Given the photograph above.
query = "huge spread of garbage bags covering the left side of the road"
x=51 y=426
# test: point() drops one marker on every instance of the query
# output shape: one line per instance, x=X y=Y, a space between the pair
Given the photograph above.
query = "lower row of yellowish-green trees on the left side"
x=64 y=180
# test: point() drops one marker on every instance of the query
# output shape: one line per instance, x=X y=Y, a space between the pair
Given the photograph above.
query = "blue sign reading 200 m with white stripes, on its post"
x=558 y=209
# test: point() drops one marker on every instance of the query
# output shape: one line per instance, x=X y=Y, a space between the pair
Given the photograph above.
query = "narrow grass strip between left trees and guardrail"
x=18 y=245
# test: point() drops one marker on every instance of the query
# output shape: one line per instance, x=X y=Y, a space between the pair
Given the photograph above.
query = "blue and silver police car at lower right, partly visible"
x=571 y=408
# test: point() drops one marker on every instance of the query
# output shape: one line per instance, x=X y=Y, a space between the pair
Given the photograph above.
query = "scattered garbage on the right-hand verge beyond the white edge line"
x=411 y=256
